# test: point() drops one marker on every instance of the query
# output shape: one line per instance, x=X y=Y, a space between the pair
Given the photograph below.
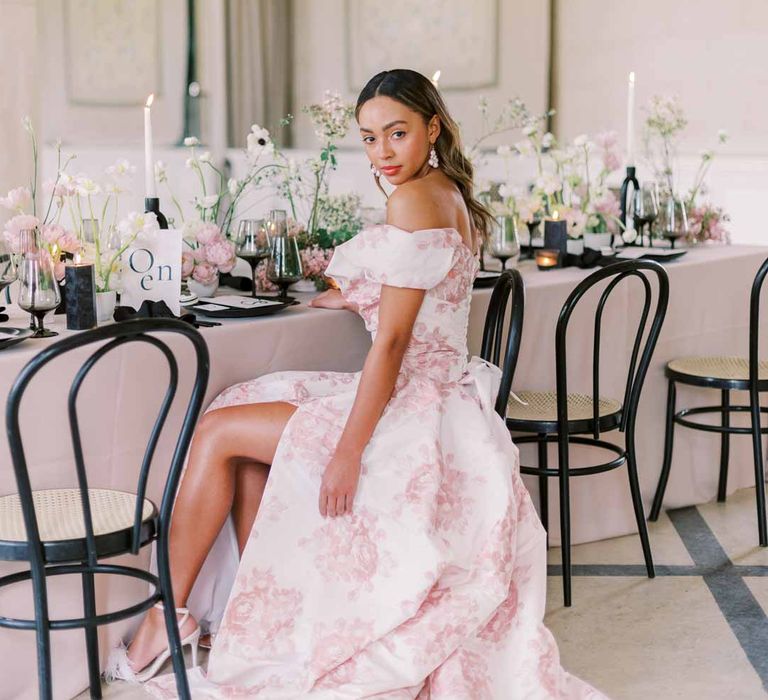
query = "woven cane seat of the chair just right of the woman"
x=541 y=409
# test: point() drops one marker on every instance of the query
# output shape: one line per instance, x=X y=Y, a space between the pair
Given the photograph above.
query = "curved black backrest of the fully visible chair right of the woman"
x=641 y=352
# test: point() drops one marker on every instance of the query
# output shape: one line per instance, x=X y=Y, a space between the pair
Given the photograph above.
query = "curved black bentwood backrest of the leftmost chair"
x=116 y=335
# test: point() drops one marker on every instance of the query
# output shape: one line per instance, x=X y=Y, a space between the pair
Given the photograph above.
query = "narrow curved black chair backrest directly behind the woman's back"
x=509 y=283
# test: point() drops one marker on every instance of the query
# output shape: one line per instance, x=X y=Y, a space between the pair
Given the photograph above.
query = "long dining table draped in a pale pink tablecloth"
x=707 y=314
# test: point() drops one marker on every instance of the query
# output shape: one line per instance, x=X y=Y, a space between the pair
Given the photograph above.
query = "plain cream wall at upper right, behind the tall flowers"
x=712 y=54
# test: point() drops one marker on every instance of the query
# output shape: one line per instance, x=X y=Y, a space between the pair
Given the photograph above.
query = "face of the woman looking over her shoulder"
x=396 y=139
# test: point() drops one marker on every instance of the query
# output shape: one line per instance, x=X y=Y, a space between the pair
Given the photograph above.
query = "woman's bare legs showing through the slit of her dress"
x=223 y=439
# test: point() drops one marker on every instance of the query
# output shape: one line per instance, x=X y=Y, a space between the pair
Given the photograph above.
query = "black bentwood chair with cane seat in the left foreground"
x=67 y=531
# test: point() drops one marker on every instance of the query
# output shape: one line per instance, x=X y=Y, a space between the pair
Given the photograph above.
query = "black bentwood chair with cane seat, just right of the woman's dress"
x=562 y=417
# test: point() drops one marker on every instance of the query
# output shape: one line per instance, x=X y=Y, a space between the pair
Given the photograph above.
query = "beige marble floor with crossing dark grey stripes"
x=698 y=630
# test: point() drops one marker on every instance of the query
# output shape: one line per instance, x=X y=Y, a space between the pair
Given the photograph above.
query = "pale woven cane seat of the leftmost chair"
x=60 y=515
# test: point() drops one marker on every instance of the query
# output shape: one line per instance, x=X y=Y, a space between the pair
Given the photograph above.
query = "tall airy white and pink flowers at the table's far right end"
x=664 y=125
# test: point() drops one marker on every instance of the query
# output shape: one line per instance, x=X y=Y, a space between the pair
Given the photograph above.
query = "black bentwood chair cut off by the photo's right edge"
x=725 y=374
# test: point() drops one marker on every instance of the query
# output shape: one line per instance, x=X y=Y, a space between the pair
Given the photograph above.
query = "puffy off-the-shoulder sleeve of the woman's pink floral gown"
x=389 y=255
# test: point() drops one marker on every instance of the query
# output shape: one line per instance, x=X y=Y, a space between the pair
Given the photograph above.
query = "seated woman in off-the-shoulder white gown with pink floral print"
x=396 y=553
